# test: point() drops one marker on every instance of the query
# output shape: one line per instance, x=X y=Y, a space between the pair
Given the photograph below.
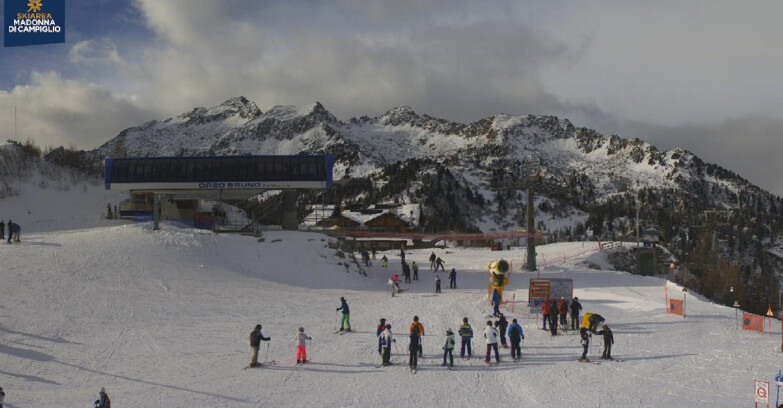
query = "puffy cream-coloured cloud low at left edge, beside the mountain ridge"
x=60 y=112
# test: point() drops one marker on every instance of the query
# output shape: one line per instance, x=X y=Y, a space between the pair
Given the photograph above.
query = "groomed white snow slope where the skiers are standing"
x=161 y=319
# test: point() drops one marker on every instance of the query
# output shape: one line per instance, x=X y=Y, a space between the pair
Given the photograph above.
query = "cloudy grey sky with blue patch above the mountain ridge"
x=700 y=75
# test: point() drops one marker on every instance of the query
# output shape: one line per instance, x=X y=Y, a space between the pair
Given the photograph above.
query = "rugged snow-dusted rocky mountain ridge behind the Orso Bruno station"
x=522 y=144
